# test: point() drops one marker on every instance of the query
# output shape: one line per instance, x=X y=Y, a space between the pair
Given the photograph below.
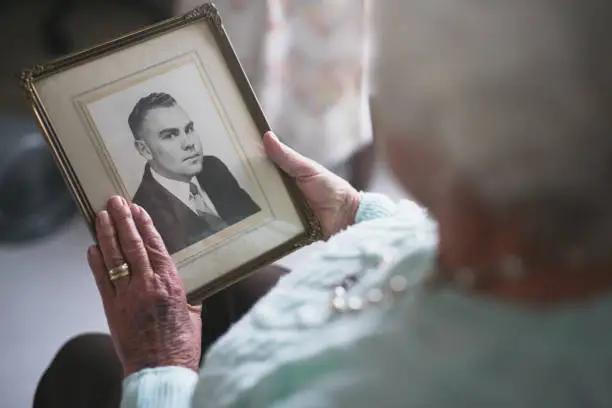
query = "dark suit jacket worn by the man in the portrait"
x=178 y=225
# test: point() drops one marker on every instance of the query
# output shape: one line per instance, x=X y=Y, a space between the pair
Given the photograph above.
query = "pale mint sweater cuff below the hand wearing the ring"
x=162 y=387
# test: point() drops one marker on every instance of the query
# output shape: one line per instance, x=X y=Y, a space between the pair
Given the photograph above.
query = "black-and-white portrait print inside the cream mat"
x=189 y=191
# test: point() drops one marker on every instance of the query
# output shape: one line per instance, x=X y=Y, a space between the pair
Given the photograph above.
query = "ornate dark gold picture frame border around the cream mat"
x=209 y=14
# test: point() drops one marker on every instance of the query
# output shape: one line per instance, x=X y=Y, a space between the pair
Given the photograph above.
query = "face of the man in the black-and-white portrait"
x=170 y=143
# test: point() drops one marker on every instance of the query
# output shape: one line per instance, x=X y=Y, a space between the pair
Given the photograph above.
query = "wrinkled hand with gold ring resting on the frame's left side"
x=149 y=318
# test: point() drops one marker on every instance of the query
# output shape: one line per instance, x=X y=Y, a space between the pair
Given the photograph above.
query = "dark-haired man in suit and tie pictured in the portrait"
x=189 y=196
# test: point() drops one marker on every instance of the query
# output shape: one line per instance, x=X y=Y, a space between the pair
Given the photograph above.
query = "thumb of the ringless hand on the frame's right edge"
x=290 y=161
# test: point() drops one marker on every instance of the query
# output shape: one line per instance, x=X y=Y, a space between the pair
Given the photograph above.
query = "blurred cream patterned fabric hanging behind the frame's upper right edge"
x=307 y=60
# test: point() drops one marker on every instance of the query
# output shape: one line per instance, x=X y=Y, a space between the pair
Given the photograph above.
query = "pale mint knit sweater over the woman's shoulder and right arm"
x=295 y=349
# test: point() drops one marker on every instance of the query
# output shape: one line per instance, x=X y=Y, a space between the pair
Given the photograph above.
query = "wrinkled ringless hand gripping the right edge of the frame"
x=333 y=200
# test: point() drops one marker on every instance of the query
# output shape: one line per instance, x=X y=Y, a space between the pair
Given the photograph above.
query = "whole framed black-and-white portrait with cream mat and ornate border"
x=166 y=118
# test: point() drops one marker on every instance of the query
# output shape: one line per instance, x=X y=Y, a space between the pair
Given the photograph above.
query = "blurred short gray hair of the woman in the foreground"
x=518 y=93
